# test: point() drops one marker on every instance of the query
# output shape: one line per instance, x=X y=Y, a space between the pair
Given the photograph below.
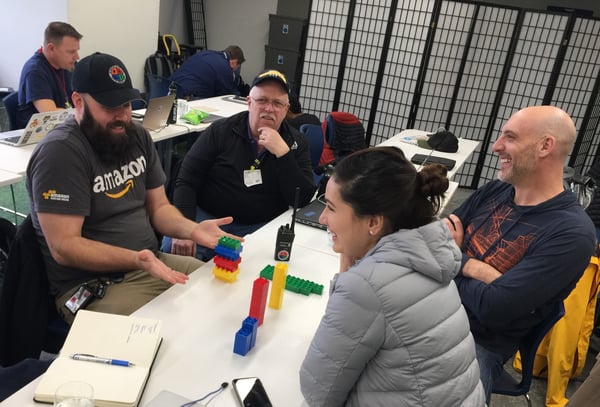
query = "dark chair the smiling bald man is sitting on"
x=507 y=385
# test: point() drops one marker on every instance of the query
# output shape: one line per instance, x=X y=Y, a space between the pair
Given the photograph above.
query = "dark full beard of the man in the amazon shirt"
x=111 y=148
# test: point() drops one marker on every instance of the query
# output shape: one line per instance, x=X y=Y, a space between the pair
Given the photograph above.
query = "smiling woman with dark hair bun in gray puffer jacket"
x=394 y=332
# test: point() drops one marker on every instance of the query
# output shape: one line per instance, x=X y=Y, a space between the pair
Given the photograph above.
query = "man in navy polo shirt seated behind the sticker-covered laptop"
x=45 y=83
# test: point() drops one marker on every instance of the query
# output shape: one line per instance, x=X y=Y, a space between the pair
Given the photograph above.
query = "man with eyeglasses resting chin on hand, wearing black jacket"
x=246 y=166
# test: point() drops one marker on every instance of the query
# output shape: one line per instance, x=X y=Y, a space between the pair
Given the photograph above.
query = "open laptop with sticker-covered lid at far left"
x=37 y=127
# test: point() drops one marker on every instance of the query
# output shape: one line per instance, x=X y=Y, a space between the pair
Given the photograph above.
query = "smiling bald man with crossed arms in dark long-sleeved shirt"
x=525 y=240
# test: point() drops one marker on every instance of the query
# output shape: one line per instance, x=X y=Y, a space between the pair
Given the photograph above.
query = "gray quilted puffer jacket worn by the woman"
x=395 y=332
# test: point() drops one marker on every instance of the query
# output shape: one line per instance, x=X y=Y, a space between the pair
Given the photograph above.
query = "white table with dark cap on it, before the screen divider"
x=465 y=148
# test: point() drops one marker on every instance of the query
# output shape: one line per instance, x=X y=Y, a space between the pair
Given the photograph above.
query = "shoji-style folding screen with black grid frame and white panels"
x=466 y=66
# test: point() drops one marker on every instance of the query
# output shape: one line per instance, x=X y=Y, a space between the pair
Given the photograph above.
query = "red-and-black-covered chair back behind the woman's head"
x=344 y=134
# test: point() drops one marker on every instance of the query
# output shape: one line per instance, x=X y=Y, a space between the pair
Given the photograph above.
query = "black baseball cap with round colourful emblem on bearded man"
x=106 y=79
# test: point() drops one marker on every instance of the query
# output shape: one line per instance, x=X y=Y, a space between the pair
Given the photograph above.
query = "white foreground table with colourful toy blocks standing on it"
x=200 y=320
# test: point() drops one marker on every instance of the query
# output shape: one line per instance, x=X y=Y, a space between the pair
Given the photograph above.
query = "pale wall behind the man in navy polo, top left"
x=110 y=26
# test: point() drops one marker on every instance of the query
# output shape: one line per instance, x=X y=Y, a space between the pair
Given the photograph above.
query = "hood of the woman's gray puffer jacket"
x=429 y=250
